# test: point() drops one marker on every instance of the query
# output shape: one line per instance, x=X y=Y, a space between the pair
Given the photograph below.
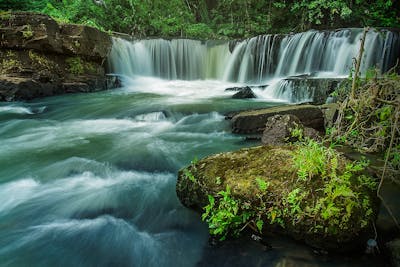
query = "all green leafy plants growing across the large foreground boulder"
x=329 y=196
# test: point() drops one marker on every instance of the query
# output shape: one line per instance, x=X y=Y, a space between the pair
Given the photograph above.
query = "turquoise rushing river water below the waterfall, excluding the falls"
x=89 y=179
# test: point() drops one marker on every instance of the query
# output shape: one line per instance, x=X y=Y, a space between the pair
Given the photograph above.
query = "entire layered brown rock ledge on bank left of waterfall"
x=39 y=57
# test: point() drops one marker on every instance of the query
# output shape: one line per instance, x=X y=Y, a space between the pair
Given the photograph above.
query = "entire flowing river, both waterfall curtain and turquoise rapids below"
x=89 y=179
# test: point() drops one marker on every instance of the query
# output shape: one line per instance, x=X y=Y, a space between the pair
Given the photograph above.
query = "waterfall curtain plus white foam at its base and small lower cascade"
x=262 y=60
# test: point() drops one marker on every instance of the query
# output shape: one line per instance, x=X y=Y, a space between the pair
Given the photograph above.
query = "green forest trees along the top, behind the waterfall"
x=214 y=19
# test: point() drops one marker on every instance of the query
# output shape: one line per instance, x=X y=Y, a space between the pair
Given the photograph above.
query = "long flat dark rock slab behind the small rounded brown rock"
x=253 y=121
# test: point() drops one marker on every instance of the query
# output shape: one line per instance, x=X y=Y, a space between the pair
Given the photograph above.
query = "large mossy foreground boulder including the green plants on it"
x=310 y=193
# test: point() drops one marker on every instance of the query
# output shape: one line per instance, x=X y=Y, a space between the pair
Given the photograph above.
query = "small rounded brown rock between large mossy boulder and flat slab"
x=279 y=128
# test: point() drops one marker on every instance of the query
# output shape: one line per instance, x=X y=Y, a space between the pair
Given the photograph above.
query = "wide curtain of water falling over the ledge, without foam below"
x=256 y=60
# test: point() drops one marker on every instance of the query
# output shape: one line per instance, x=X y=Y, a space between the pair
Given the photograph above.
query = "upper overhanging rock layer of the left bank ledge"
x=27 y=30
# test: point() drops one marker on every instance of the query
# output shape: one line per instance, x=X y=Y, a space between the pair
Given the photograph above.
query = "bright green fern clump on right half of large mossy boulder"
x=338 y=197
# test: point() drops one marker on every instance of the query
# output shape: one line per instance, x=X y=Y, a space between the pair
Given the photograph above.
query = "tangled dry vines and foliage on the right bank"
x=367 y=122
